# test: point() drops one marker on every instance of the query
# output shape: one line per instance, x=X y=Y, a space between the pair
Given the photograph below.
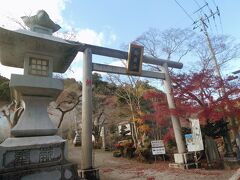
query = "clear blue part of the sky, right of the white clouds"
x=128 y=19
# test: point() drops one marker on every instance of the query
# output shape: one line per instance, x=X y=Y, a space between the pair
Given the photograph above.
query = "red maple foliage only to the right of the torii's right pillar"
x=206 y=96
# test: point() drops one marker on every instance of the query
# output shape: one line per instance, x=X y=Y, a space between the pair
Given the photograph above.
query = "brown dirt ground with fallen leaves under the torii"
x=112 y=168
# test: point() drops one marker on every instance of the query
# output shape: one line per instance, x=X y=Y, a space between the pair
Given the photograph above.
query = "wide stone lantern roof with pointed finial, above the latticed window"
x=14 y=45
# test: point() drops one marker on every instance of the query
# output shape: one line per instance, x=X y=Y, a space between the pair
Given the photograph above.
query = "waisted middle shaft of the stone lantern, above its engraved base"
x=36 y=93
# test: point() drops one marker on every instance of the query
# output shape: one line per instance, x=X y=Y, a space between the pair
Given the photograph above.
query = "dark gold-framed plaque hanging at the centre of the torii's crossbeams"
x=135 y=57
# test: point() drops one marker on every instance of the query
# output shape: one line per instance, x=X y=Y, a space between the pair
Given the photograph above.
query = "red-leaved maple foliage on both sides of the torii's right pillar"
x=202 y=95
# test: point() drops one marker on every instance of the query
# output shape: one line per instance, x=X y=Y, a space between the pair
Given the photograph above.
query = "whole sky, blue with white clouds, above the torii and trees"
x=113 y=23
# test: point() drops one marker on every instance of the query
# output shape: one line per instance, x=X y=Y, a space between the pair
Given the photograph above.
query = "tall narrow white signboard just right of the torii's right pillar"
x=197 y=135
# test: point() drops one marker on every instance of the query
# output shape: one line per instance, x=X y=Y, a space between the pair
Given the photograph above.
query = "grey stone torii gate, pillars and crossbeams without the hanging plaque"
x=88 y=67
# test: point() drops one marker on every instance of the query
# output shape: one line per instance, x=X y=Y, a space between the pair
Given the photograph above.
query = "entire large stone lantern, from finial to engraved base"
x=35 y=151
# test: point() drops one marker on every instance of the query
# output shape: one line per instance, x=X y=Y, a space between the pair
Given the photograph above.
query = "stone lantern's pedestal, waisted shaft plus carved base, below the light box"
x=35 y=152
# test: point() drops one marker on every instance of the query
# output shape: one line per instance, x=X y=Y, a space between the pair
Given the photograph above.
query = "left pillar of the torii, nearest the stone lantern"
x=87 y=169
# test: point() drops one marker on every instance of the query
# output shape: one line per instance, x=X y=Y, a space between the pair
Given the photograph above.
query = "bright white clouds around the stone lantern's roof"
x=12 y=9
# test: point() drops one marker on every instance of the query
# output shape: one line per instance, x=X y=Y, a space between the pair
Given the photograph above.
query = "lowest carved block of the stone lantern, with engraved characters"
x=35 y=157
